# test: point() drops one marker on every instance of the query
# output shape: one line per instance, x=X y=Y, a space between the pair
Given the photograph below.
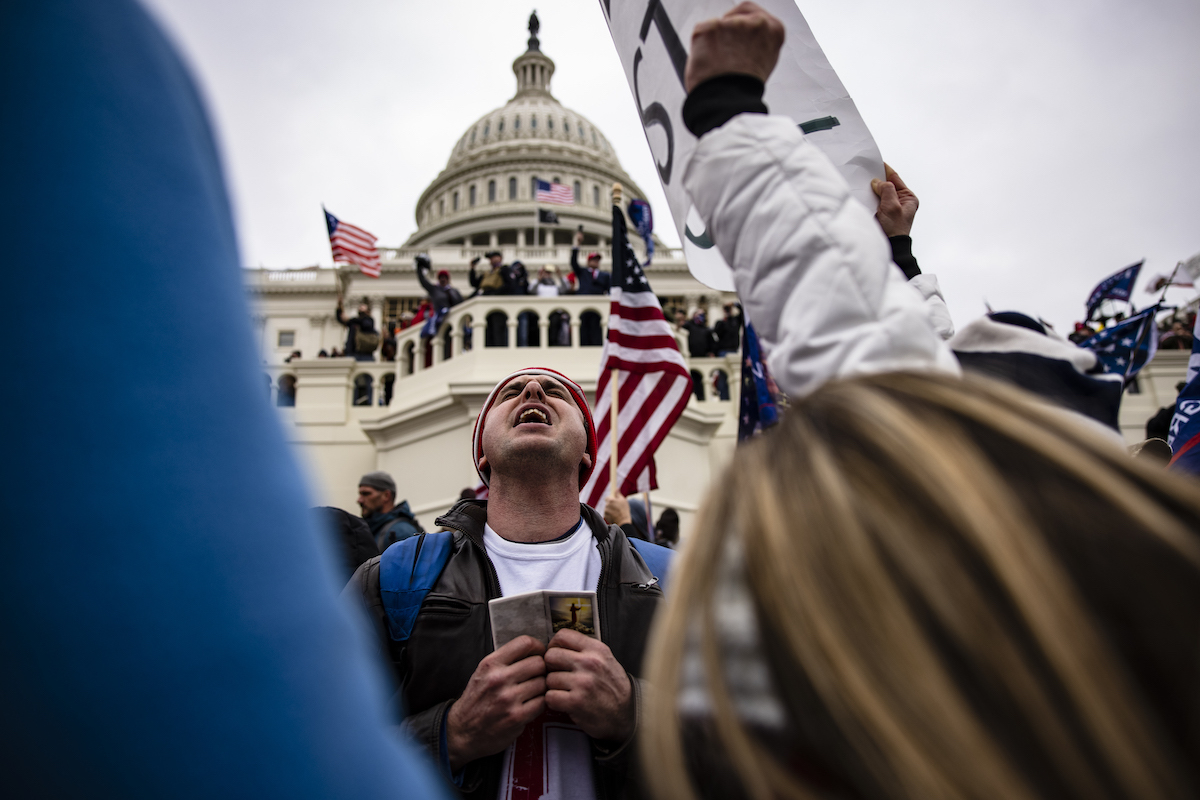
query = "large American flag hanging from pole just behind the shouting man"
x=653 y=378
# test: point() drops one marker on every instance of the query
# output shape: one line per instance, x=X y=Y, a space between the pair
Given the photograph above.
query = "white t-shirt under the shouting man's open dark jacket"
x=553 y=759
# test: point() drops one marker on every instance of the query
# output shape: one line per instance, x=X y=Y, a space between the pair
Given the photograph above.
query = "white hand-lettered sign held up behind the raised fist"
x=652 y=39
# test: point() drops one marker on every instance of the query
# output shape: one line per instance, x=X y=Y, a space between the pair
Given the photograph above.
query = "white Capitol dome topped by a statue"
x=485 y=196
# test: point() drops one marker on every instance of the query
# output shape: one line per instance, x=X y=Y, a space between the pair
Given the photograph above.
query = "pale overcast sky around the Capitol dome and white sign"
x=1051 y=145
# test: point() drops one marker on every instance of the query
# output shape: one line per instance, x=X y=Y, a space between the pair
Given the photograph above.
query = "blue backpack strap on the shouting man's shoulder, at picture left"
x=407 y=572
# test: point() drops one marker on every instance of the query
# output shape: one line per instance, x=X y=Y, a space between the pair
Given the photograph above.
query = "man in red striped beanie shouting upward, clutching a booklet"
x=526 y=720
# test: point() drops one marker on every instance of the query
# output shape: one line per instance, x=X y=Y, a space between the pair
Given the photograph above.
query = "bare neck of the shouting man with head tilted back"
x=530 y=512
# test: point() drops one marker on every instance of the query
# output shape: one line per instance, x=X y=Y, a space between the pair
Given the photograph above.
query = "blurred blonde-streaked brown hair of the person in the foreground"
x=890 y=521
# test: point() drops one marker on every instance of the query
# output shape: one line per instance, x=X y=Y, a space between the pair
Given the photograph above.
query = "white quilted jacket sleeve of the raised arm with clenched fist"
x=811 y=264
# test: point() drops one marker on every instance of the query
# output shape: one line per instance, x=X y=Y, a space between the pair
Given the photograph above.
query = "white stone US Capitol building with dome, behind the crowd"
x=415 y=420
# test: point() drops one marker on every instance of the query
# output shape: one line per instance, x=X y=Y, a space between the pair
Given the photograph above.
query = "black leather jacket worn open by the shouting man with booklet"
x=453 y=635
